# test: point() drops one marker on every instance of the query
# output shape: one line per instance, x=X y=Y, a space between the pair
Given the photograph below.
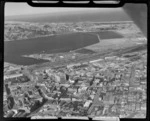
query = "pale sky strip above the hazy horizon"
x=23 y=8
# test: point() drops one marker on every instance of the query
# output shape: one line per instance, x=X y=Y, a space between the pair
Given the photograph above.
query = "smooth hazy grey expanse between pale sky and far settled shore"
x=95 y=16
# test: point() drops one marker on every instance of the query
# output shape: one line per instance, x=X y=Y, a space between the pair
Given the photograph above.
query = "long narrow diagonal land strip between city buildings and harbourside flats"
x=117 y=52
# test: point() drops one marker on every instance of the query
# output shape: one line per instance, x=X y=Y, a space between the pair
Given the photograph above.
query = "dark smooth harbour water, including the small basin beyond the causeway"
x=13 y=50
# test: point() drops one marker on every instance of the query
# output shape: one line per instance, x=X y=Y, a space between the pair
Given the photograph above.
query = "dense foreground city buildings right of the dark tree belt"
x=112 y=86
